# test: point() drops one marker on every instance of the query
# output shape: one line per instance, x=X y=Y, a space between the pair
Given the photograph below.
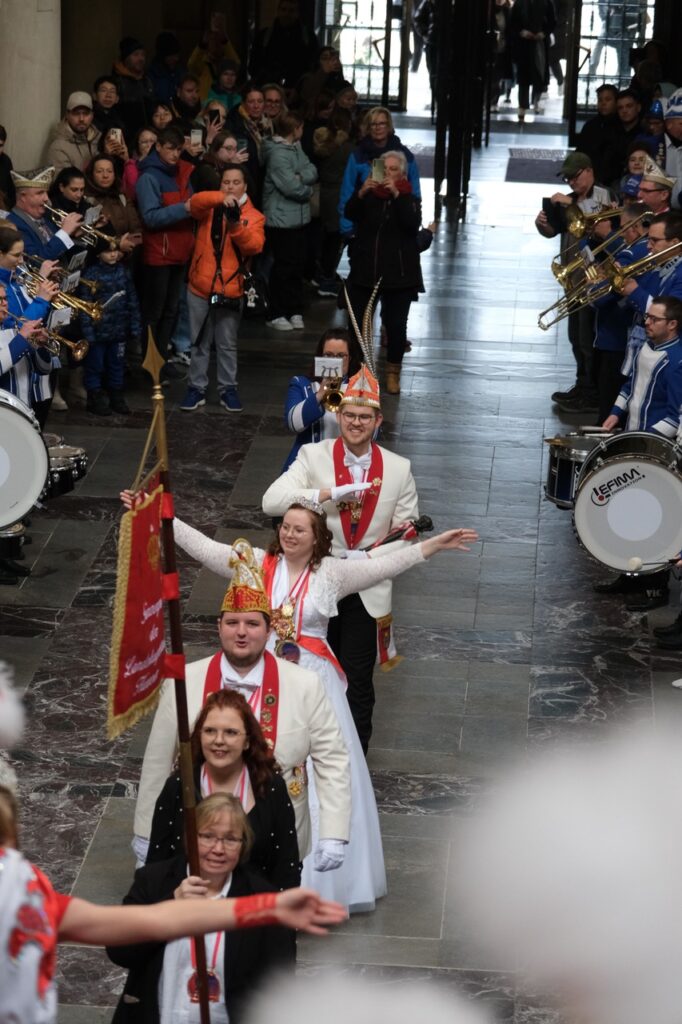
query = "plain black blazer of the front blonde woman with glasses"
x=250 y=954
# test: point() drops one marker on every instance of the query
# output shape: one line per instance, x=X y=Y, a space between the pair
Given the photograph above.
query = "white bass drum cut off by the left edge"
x=24 y=460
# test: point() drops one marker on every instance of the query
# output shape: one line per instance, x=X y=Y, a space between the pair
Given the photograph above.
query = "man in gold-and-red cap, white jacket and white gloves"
x=290 y=703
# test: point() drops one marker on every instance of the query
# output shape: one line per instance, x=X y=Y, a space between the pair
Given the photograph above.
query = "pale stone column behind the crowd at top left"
x=30 y=76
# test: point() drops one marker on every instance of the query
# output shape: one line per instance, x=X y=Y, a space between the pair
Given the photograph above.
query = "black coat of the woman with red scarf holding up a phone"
x=386 y=242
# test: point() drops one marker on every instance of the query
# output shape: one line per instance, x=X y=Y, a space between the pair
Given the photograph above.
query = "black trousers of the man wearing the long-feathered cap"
x=353 y=637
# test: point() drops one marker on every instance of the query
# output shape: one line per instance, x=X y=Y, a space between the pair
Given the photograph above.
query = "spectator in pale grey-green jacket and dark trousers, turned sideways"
x=287 y=192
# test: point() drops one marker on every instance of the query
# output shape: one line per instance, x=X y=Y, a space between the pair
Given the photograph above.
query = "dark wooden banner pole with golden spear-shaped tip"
x=153 y=364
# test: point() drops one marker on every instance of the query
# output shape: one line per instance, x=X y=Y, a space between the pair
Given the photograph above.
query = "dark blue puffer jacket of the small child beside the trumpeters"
x=120 y=321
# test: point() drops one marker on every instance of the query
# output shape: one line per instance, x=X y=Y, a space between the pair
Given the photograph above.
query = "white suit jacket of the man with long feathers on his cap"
x=314 y=471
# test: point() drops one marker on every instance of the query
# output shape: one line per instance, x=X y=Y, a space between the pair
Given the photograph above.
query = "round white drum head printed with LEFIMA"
x=630 y=508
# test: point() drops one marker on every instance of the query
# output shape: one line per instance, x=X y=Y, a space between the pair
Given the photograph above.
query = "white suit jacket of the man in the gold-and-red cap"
x=307 y=727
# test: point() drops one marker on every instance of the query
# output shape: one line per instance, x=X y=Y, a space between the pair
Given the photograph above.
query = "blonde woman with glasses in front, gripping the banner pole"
x=162 y=980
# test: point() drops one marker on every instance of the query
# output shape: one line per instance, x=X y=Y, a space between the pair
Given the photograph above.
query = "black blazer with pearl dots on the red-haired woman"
x=275 y=854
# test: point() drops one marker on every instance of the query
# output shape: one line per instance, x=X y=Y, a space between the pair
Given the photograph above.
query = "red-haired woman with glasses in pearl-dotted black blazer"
x=230 y=755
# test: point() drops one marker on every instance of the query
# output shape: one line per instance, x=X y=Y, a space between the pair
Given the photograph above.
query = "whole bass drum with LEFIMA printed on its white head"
x=629 y=502
